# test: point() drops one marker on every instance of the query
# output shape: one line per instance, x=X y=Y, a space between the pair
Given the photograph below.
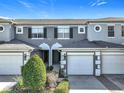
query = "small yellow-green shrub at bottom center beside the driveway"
x=63 y=87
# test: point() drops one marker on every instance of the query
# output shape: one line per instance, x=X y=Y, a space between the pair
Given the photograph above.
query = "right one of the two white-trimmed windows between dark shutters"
x=63 y=33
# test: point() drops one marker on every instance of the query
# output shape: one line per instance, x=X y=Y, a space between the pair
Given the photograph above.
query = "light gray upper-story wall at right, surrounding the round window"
x=103 y=35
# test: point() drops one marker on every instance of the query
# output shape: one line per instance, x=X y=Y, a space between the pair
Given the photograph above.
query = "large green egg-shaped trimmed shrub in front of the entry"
x=34 y=74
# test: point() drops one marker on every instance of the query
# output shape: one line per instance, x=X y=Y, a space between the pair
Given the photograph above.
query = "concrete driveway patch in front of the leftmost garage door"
x=6 y=82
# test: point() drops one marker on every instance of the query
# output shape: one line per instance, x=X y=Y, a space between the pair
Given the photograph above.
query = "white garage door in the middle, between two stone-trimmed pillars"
x=80 y=64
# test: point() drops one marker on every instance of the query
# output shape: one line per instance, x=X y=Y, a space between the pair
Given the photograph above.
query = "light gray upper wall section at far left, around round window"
x=7 y=34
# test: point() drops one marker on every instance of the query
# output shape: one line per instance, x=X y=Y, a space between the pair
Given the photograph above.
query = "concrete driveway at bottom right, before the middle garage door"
x=91 y=84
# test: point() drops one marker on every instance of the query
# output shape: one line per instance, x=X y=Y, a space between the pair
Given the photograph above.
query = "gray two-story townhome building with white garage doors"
x=77 y=46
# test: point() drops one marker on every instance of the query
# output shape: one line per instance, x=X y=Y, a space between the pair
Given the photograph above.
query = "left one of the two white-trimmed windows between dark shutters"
x=37 y=33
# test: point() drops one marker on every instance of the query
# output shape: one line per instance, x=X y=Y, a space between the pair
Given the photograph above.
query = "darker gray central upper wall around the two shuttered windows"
x=50 y=37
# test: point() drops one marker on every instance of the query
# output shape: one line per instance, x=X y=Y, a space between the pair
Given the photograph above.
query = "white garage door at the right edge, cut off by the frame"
x=112 y=63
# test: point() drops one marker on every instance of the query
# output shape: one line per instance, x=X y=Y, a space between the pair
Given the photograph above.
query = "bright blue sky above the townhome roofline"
x=54 y=9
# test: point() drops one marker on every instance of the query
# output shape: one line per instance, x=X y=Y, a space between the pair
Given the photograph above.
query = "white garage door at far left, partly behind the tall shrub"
x=10 y=63
